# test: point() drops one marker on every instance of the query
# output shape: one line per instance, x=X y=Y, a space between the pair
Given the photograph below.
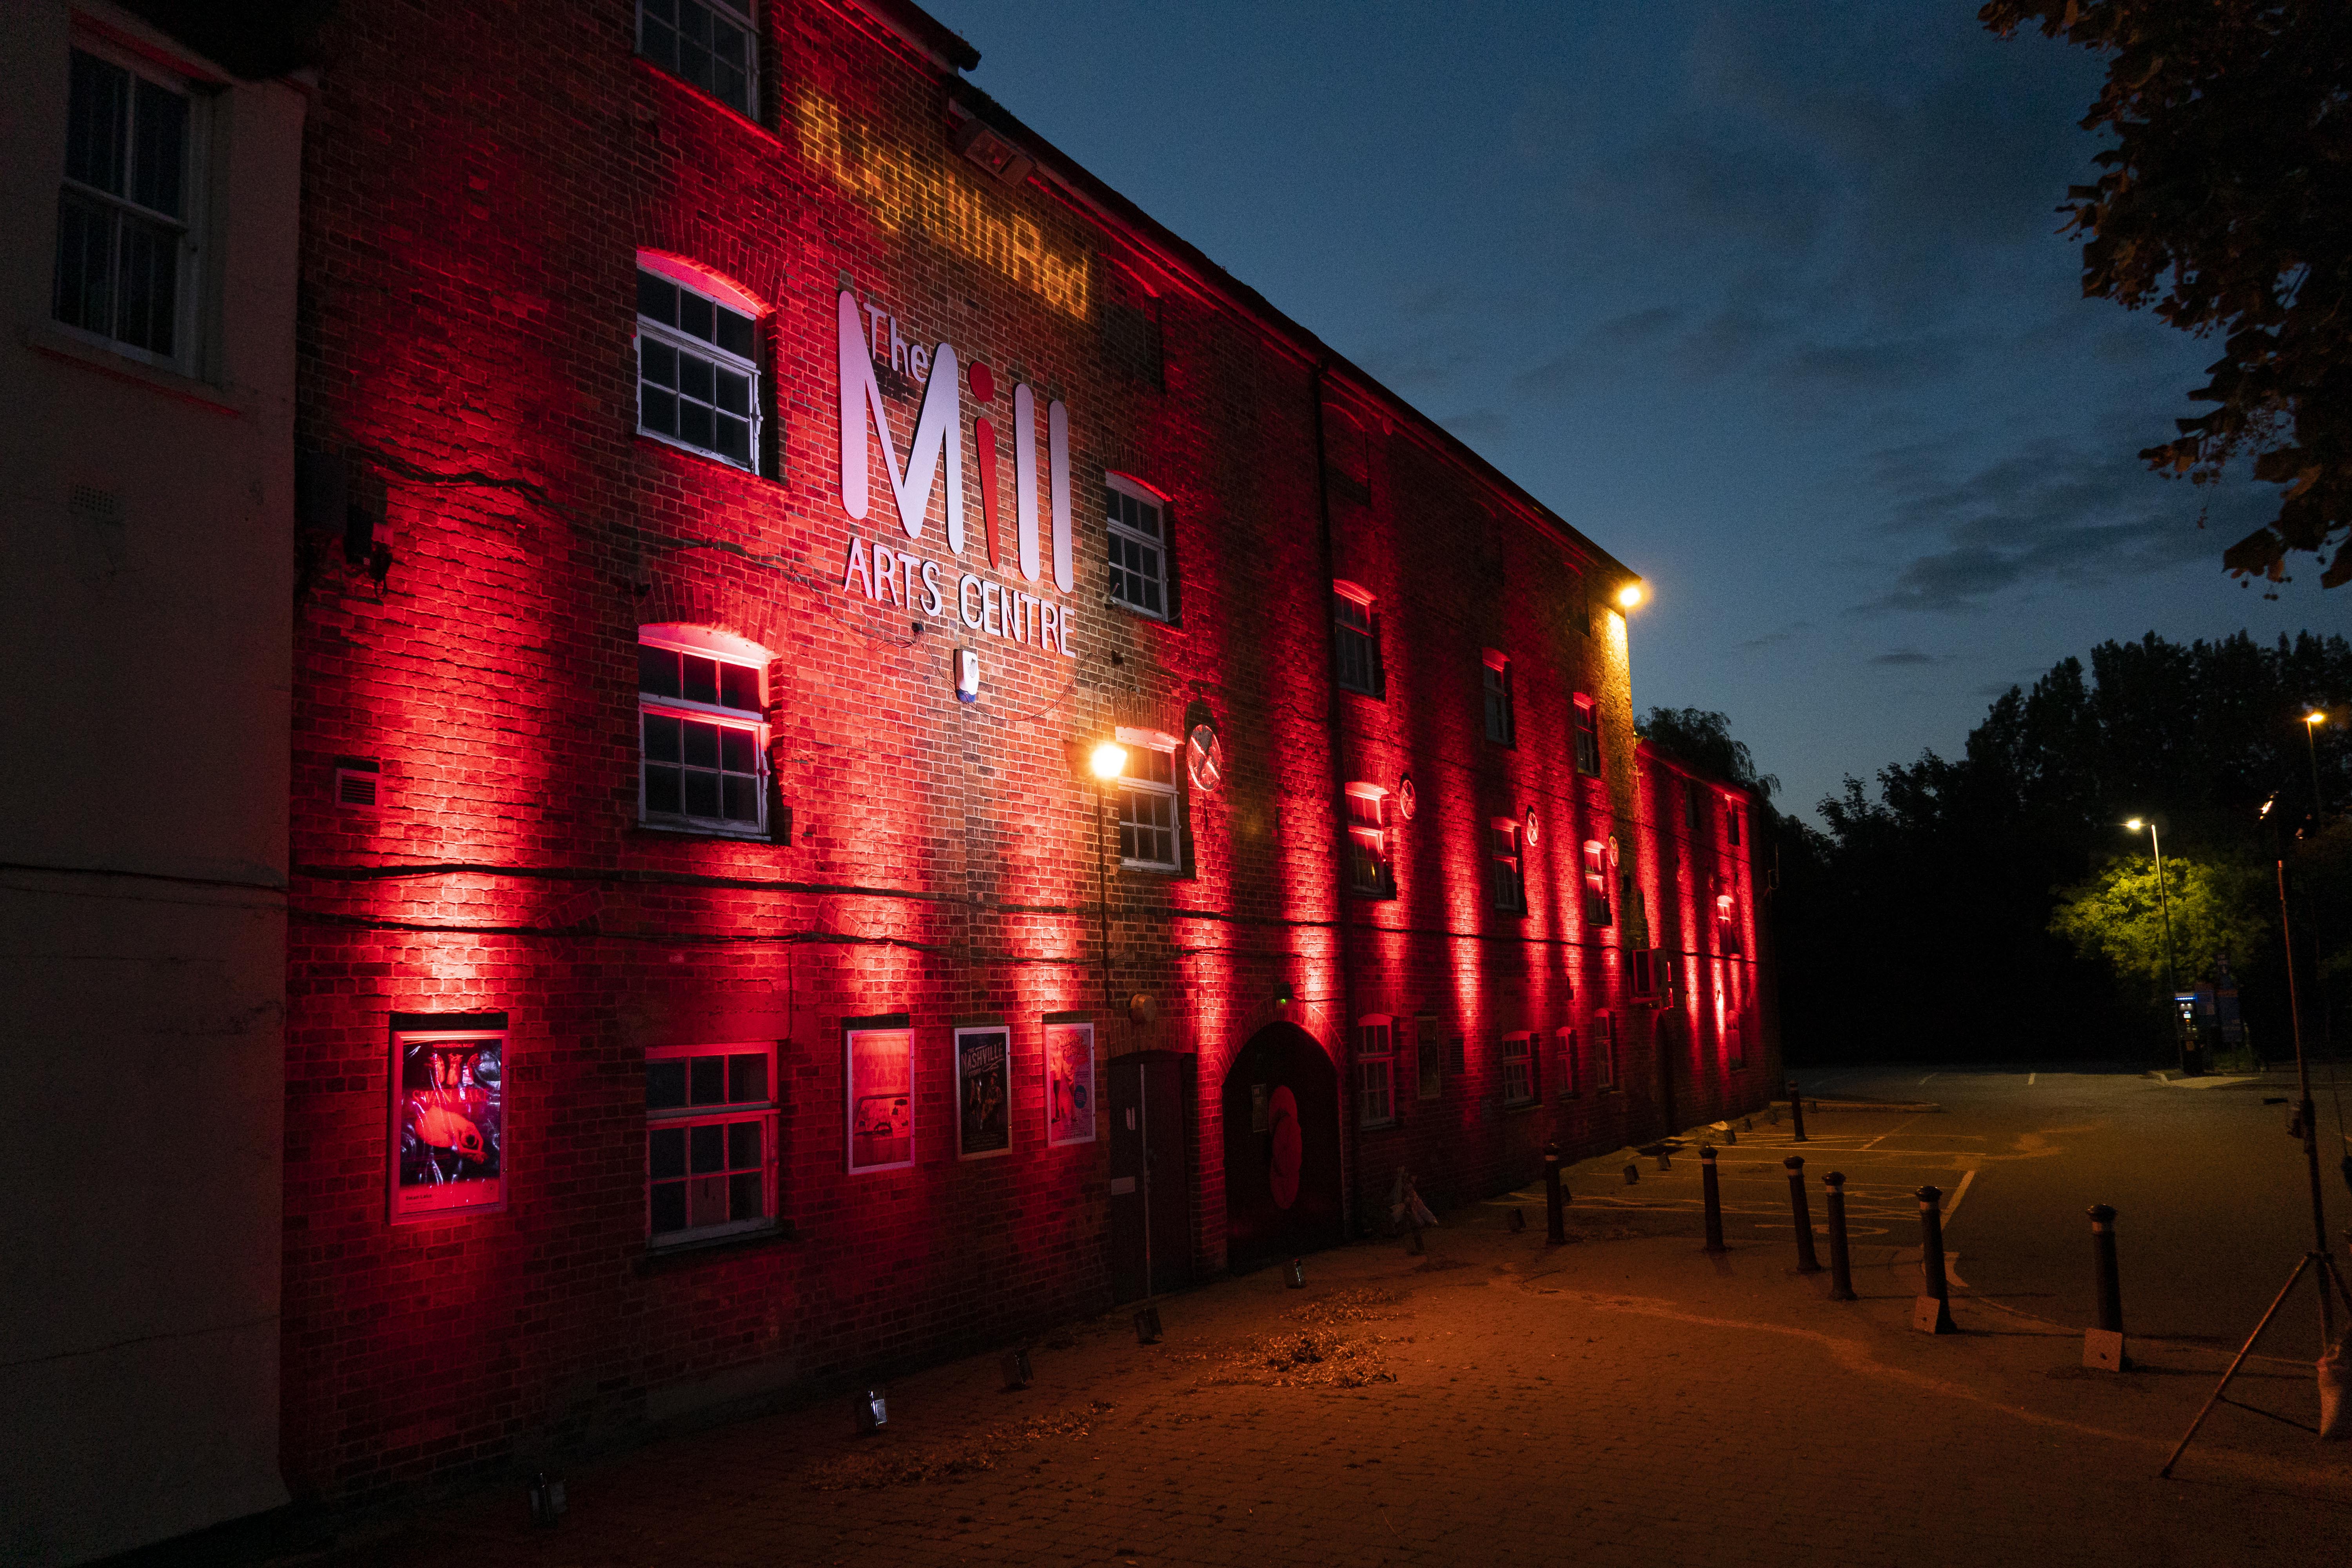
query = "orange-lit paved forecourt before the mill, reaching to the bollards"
x=1490 y=1402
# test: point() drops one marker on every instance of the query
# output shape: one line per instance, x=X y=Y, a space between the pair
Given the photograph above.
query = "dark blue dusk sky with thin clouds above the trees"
x=1768 y=300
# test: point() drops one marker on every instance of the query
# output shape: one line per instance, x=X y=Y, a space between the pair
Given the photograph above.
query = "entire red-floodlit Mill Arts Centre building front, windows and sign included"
x=716 y=967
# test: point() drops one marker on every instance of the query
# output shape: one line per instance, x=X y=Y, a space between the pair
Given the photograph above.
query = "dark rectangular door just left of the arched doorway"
x=1151 y=1193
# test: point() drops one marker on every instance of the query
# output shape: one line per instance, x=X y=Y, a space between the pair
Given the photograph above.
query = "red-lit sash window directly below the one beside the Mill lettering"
x=702 y=716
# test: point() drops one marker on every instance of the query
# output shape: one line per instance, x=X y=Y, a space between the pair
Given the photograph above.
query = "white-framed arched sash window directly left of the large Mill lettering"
x=697 y=384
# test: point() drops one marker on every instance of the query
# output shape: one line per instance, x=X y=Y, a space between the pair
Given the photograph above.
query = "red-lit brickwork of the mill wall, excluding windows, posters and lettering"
x=479 y=185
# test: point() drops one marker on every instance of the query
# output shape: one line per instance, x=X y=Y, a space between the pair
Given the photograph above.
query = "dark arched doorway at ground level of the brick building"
x=1283 y=1184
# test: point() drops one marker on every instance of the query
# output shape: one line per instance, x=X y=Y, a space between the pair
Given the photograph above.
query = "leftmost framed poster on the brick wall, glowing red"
x=448 y=1125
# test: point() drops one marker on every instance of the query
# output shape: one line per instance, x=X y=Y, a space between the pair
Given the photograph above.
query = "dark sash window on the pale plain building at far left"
x=126 y=253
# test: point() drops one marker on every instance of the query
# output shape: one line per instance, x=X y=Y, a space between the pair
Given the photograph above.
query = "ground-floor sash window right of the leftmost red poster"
x=709 y=1141
